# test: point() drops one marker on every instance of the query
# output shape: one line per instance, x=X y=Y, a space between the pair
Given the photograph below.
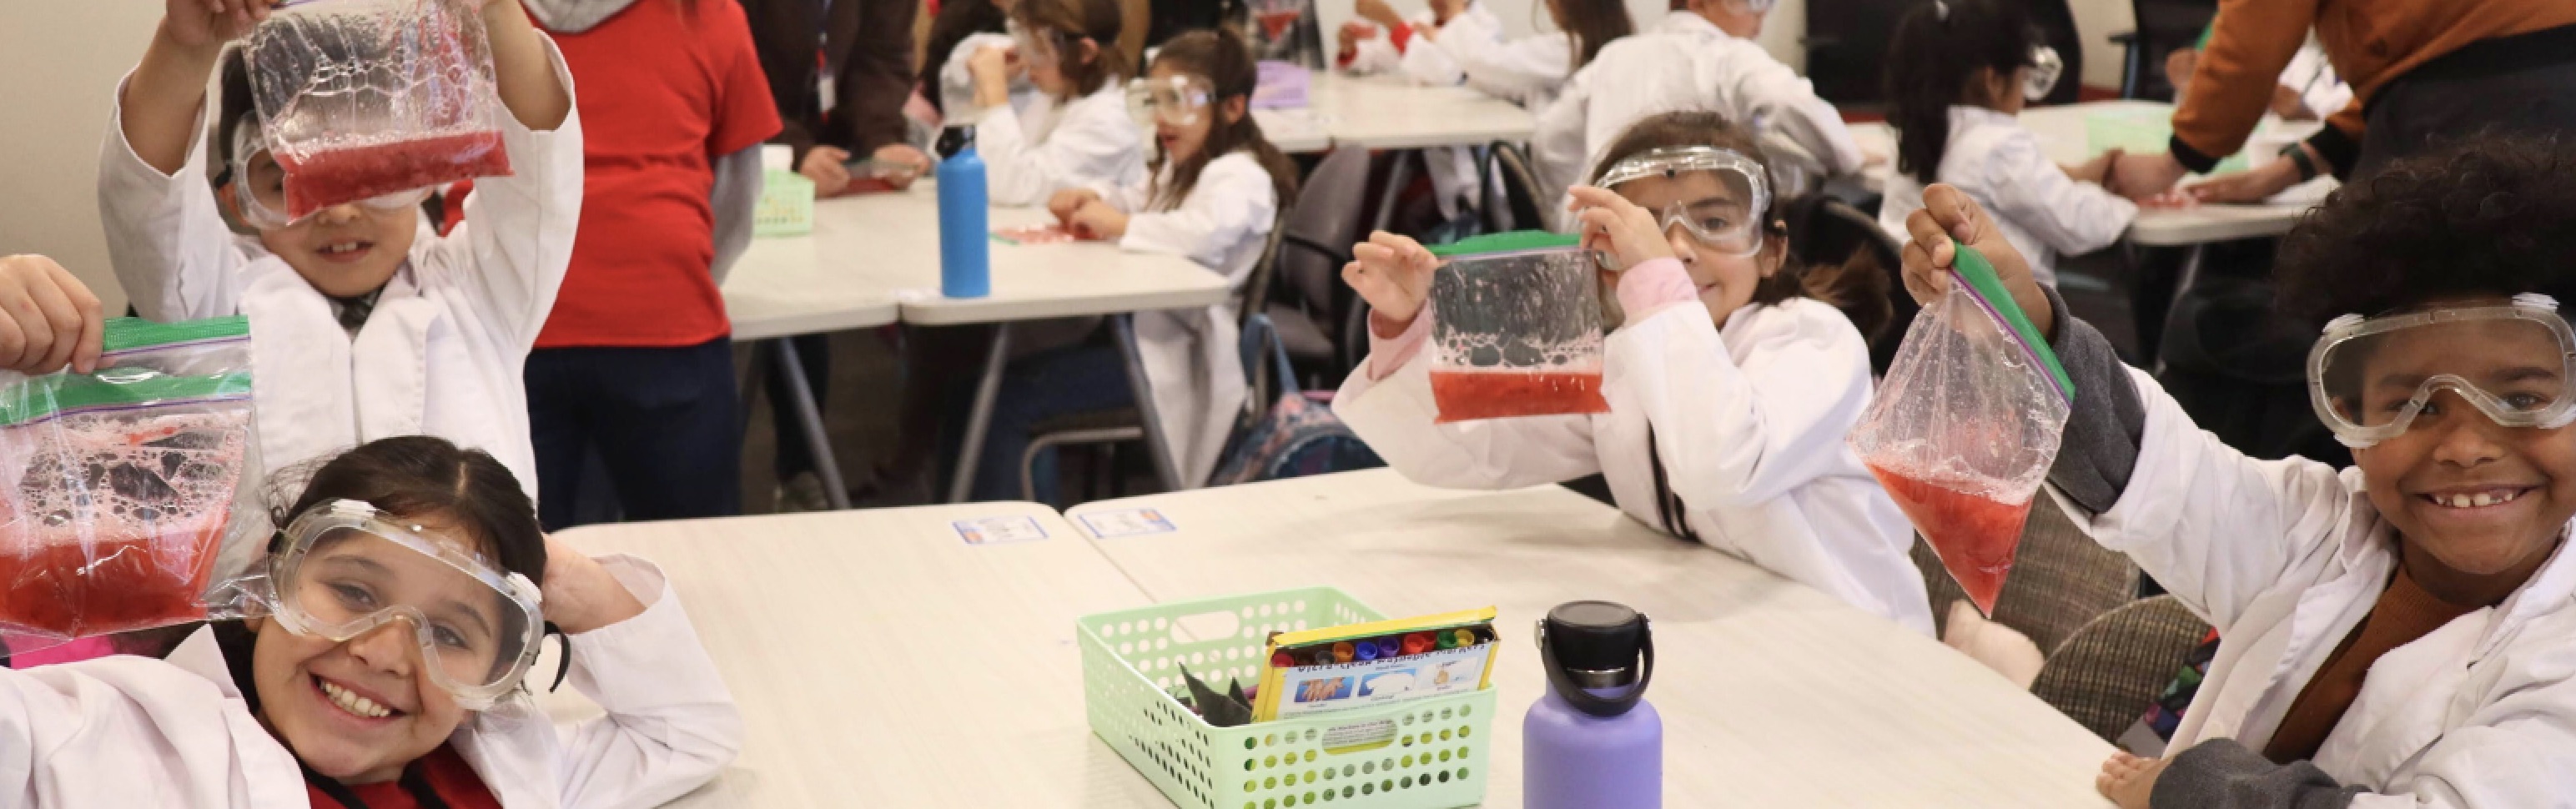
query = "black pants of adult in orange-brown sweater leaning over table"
x=2510 y=84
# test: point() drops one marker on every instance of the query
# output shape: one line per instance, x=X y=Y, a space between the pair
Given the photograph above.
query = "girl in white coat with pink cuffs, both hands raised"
x=1730 y=385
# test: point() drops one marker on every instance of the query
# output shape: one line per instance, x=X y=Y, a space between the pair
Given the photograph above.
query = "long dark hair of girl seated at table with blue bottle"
x=1225 y=61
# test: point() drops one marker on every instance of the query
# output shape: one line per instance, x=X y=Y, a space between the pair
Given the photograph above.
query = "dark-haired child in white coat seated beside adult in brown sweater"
x=1959 y=73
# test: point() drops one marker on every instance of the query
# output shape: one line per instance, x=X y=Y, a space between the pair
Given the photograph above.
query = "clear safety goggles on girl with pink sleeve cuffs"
x=1719 y=195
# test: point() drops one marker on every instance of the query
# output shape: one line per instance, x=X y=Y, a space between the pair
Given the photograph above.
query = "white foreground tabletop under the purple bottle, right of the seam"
x=1771 y=692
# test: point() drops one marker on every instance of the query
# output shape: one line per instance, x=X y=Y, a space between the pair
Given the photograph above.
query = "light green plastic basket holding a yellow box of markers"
x=1367 y=751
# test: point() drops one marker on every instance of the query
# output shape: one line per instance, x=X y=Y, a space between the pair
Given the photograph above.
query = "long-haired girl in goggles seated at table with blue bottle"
x=1215 y=195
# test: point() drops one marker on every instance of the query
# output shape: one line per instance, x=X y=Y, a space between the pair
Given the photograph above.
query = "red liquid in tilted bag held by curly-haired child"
x=1972 y=535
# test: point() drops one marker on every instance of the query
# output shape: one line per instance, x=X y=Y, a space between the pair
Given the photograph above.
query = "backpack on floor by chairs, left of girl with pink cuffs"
x=1297 y=437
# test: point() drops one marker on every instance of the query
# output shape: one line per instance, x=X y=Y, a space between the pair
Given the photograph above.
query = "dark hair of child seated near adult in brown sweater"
x=1933 y=61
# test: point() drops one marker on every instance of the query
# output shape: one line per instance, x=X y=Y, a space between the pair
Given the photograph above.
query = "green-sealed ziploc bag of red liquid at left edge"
x=122 y=499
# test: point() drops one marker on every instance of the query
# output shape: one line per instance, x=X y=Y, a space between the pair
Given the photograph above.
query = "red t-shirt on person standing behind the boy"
x=666 y=86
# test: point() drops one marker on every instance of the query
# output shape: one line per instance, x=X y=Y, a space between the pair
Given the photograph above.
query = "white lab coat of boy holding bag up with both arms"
x=450 y=336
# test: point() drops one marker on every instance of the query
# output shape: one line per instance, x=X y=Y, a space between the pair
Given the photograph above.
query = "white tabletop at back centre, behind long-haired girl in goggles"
x=1385 y=112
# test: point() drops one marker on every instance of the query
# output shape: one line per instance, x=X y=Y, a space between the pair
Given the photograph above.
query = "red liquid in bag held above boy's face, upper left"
x=352 y=174
